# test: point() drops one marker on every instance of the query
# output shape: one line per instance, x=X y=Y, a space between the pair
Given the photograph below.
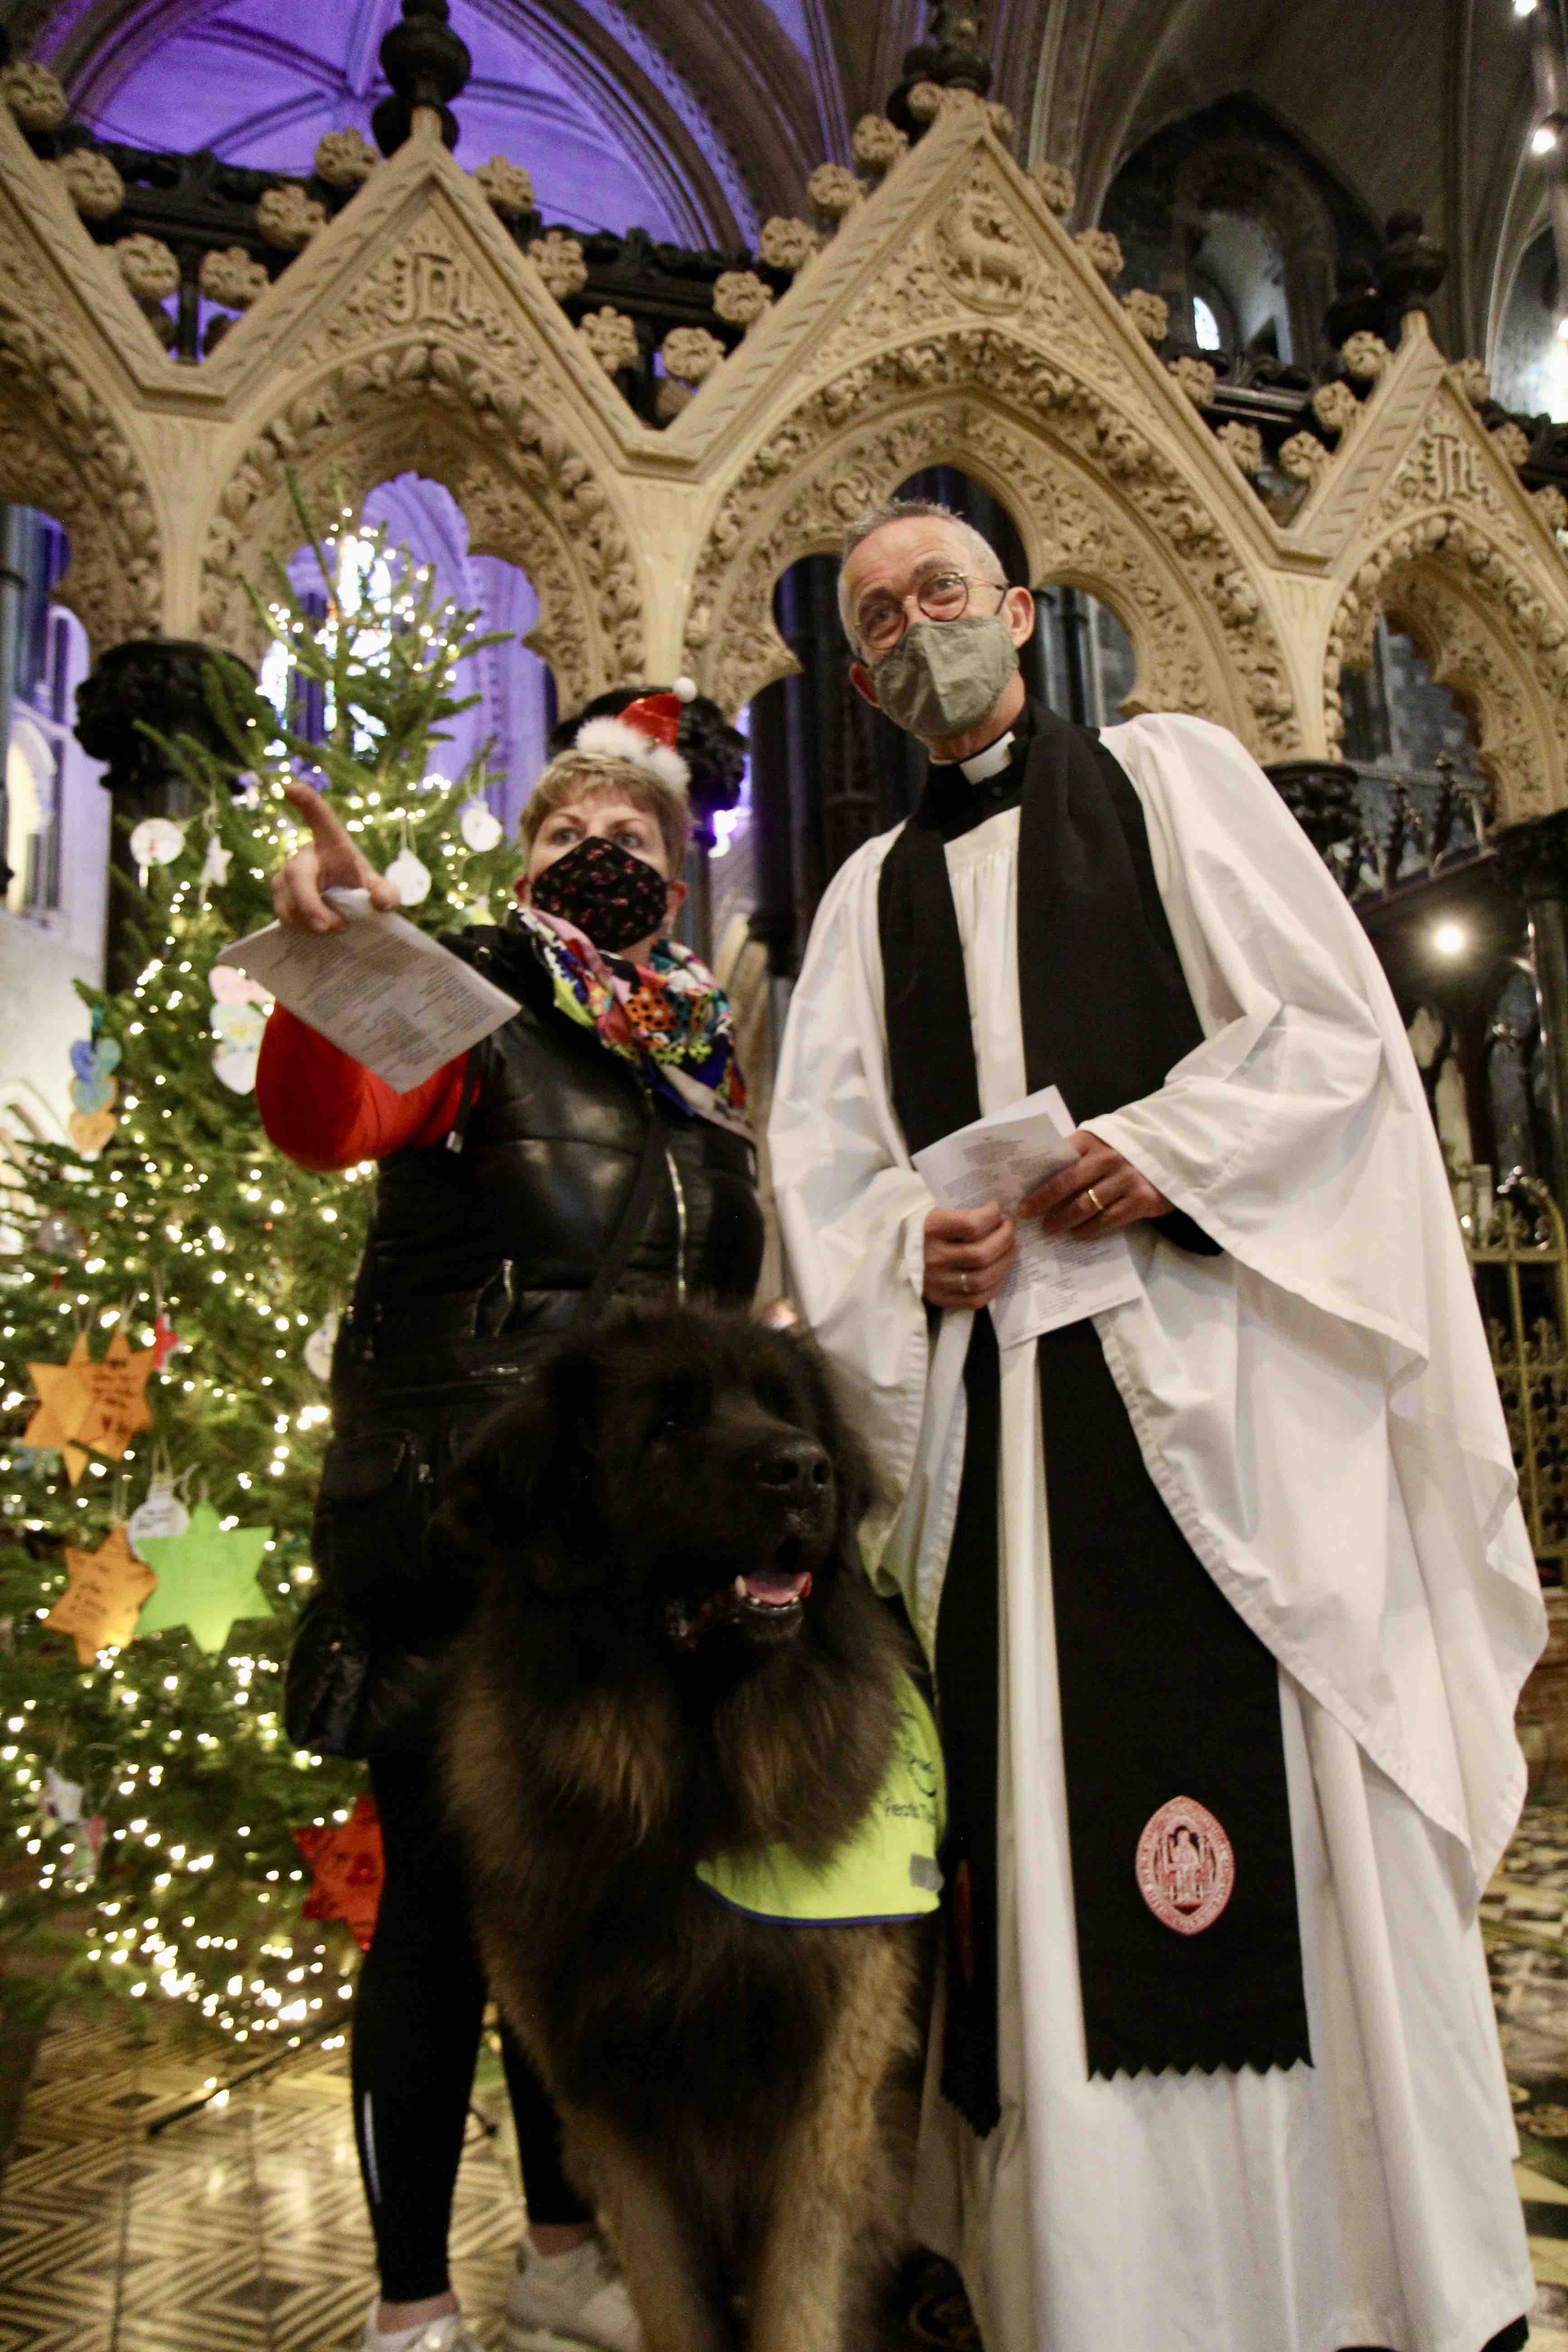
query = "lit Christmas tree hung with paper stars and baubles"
x=168 y=1285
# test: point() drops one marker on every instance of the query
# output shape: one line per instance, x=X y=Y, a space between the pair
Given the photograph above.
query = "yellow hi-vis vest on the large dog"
x=887 y=1871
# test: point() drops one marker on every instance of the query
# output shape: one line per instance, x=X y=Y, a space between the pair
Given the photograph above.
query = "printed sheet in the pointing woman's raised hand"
x=382 y=991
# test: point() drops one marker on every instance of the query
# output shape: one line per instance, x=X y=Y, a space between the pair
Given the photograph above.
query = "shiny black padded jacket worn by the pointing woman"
x=478 y=1252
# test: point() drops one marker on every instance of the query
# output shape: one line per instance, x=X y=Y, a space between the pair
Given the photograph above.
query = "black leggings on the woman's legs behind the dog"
x=417 y=2038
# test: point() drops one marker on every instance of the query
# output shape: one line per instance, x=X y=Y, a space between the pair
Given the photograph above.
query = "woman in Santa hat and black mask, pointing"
x=601 y=1135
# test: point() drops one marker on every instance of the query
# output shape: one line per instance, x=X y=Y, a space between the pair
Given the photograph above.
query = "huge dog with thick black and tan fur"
x=730 y=2090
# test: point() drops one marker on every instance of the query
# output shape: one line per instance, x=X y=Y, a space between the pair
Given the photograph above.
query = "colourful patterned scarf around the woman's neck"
x=669 y=1017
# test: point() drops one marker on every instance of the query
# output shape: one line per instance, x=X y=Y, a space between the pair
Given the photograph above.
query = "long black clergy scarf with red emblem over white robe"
x=1165 y=1692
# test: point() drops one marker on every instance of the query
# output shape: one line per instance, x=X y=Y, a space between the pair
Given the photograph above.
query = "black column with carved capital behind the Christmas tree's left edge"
x=142 y=683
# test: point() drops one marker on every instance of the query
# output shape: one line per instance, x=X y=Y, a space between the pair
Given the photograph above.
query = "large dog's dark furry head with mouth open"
x=690 y=1474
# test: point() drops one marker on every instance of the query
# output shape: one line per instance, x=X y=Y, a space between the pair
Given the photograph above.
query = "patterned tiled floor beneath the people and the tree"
x=243 y=2231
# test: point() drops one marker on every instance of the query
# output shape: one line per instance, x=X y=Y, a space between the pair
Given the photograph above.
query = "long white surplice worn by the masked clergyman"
x=1320 y=1415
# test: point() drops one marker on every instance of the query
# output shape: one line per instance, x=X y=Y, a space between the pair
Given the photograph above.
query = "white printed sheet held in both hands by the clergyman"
x=1054 y=1281
